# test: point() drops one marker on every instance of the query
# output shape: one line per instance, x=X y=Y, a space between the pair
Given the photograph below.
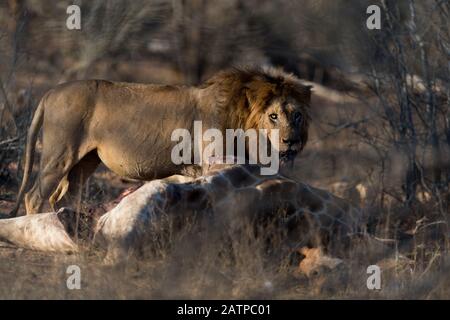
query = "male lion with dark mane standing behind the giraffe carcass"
x=128 y=126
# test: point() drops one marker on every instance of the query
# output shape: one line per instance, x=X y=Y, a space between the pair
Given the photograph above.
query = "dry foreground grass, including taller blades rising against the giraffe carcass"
x=197 y=263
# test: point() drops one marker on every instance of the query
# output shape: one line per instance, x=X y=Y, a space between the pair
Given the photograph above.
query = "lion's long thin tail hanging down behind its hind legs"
x=29 y=153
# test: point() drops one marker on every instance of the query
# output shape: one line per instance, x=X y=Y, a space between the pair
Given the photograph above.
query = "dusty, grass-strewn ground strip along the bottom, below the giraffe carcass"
x=31 y=275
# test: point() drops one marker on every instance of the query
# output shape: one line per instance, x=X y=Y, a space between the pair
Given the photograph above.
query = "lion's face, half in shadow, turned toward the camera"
x=289 y=116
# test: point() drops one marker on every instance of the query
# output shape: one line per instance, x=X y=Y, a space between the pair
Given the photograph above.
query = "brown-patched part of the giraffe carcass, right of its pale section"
x=312 y=214
